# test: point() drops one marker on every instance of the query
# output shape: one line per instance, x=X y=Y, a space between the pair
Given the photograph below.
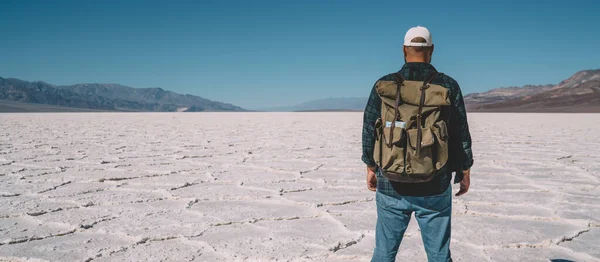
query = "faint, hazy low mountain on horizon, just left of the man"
x=328 y=104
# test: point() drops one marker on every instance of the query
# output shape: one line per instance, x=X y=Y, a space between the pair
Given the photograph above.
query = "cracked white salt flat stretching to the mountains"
x=278 y=186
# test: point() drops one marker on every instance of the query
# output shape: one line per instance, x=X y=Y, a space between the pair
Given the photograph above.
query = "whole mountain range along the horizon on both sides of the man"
x=579 y=93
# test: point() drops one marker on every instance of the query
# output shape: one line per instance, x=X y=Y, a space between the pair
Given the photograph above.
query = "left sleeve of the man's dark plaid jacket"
x=371 y=114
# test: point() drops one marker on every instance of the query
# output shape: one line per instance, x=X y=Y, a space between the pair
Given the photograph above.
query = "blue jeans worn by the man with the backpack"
x=433 y=215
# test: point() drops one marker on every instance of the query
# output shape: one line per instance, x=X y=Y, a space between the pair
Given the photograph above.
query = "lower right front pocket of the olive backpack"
x=420 y=163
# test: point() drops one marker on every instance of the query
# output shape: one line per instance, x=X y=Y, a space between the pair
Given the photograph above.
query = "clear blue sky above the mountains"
x=275 y=53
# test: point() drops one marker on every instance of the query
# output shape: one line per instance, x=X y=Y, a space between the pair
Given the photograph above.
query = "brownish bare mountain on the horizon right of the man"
x=579 y=93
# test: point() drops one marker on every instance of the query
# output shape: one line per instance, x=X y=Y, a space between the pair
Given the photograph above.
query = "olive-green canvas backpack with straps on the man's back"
x=411 y=137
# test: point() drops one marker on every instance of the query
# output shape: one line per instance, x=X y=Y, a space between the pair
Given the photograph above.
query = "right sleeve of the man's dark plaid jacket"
x=462 y=136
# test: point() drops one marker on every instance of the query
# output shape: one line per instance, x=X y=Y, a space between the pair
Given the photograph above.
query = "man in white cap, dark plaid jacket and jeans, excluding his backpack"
x=430 y=201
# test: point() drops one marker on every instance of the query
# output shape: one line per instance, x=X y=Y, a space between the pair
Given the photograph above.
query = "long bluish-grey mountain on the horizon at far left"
x=104 y=97
